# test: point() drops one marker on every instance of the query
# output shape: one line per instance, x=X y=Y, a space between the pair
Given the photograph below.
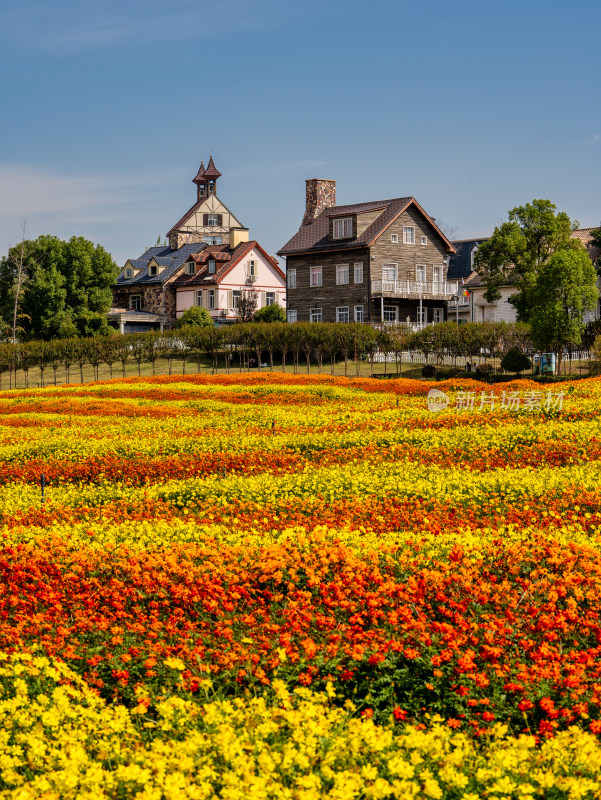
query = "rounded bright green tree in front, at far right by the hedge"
x=565 y=288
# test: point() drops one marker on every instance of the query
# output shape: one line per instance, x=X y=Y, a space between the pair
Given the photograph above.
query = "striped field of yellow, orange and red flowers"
x=285 y=586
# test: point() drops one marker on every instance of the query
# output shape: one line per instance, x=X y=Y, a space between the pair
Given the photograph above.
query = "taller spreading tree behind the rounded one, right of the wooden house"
x=520 y=248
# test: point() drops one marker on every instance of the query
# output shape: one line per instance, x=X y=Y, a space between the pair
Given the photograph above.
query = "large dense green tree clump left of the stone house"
x=68 y=287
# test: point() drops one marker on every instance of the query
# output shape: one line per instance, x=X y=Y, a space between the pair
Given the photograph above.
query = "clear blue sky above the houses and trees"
x=471 y=106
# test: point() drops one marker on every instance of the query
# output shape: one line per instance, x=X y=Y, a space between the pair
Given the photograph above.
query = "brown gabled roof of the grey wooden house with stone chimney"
x=314 y=237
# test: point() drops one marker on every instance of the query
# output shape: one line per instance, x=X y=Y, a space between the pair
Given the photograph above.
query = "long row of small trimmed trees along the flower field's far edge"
x=240 y=346
